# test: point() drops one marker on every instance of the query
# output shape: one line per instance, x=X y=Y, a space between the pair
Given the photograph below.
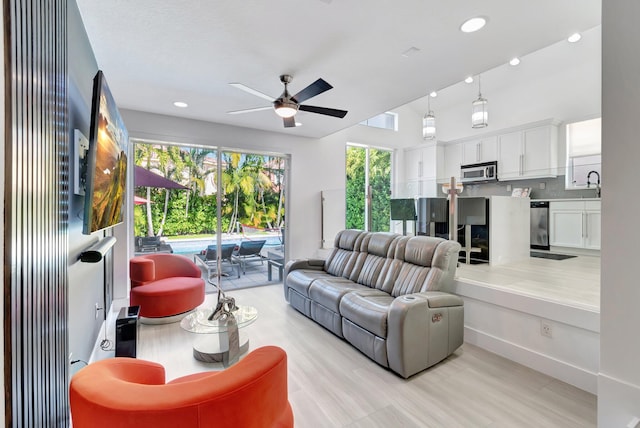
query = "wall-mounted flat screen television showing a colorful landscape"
x=106 y=180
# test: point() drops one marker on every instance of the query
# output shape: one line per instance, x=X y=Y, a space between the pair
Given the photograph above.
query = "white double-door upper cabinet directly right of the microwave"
x=528 y=153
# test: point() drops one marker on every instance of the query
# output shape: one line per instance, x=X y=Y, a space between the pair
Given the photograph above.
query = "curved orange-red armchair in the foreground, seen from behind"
x=131 y=393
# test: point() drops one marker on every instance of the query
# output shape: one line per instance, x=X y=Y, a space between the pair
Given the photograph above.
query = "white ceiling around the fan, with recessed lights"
x=155 y=52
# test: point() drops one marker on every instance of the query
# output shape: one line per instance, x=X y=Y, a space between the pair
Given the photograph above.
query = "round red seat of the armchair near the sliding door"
x=169 y=296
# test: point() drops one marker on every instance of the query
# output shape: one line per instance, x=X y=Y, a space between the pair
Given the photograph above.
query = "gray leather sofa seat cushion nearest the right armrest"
x=367 y=309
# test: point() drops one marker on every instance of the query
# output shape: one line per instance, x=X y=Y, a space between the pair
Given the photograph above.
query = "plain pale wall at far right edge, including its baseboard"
x=619 y=377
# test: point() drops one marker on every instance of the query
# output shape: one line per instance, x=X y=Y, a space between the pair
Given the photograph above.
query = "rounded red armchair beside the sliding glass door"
x=164 y=285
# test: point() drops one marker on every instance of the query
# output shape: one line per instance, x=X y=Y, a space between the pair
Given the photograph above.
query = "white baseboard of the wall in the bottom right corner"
x=618 y=402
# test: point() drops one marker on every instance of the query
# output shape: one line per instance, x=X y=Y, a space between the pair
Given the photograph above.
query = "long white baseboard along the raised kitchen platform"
x=571 y=374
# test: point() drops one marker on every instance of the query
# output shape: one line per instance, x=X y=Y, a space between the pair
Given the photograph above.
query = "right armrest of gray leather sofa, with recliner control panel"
x=423 y=329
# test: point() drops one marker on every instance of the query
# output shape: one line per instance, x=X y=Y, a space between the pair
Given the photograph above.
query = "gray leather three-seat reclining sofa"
x=379 y=292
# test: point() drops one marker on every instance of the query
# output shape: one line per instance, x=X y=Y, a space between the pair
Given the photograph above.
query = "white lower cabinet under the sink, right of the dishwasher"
x=575 y=224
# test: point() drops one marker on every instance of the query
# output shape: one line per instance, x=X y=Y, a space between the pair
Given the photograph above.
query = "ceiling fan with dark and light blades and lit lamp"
x=286 y=106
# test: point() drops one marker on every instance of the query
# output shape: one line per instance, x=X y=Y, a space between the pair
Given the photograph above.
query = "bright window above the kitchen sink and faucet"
x=584 y=148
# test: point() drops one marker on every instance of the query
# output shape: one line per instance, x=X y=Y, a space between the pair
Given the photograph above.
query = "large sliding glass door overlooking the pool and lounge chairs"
x=224 y=209
